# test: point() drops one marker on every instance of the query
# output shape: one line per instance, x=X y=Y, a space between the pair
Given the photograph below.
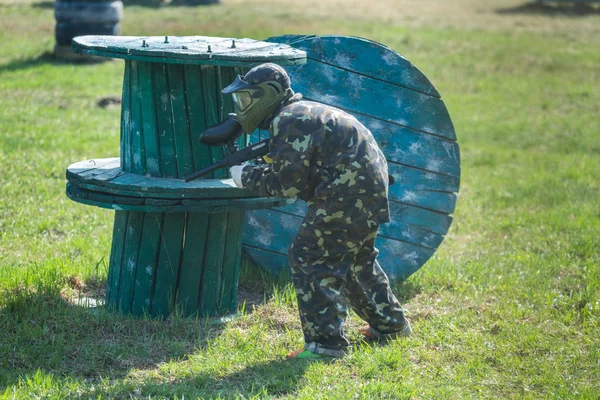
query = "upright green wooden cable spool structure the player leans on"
x=174 y=244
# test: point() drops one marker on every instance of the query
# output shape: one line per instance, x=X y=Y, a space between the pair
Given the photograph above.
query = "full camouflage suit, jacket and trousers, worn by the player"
x=327 y=158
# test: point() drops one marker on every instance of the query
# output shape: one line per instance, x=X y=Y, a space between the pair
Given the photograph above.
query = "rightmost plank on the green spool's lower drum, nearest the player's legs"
x=231 y=263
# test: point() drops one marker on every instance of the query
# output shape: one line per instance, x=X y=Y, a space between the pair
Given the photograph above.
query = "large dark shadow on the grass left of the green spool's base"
x=43 y=331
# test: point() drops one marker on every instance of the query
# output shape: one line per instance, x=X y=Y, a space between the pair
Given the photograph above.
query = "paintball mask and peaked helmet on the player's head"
x=258 y=93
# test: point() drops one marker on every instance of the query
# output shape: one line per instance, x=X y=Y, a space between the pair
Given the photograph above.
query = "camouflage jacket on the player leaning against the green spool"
x=323 y=155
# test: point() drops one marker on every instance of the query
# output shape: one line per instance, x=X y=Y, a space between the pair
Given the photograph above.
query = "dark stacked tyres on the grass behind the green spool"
x=81 y=17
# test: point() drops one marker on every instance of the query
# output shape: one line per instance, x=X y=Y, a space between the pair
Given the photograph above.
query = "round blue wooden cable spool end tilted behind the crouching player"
x=411 y=124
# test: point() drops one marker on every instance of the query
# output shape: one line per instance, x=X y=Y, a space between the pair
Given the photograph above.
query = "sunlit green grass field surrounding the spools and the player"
x=509 y=307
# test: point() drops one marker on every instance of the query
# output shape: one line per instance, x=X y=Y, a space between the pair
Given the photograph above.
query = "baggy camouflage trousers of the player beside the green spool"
x=333 y=263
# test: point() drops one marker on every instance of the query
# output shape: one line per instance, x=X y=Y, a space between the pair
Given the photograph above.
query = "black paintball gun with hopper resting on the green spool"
x=226 y=133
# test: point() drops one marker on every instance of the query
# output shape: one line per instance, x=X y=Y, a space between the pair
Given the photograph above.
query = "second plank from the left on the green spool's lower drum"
x=131 y=251
